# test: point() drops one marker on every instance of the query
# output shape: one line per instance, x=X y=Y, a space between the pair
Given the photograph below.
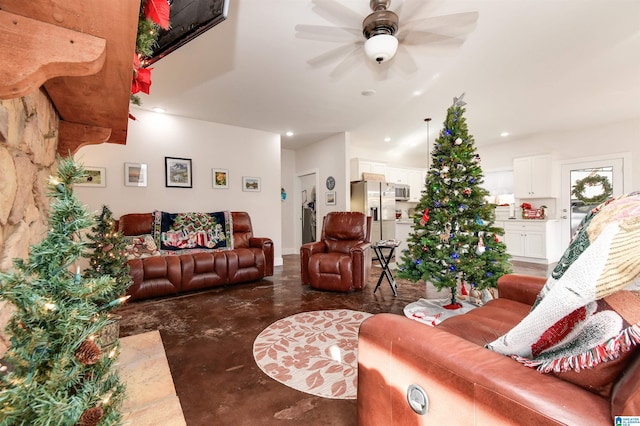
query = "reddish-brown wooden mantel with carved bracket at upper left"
x=82 y=52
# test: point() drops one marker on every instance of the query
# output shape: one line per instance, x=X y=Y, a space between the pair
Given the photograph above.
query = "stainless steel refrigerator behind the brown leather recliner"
x=378 y=200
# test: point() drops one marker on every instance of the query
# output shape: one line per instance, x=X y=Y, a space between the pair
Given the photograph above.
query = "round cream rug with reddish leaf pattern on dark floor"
x=313 y=352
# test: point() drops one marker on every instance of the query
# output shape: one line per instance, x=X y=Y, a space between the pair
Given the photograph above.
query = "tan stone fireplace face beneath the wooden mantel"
x=28 y=146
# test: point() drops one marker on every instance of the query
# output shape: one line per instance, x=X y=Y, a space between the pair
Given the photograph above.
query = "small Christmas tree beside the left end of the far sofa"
x=108 y=253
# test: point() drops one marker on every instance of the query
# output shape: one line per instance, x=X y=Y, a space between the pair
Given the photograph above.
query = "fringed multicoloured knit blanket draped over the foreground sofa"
x=589 y=309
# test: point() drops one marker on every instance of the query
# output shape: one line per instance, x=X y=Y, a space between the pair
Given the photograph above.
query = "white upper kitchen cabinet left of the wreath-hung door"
x=533 y=177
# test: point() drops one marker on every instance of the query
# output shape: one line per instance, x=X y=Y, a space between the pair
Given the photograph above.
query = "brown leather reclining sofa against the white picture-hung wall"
x=251 y=259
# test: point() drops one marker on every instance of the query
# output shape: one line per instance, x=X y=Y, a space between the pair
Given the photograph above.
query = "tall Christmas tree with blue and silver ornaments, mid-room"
x=454 y=240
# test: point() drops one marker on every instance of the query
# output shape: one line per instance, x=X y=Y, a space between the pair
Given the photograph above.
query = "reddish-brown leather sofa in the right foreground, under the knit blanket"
x=466 y=384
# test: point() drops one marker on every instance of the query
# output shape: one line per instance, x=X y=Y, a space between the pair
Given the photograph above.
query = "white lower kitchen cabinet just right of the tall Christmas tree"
x=532 y=240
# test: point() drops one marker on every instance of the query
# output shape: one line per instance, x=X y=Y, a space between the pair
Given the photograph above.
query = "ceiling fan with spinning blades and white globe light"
x=383 y=33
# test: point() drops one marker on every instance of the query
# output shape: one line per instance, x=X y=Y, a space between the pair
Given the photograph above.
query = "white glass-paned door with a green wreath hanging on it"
x=585 y=184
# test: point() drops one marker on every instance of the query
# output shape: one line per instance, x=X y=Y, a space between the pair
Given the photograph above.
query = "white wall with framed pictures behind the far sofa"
x=244 y=152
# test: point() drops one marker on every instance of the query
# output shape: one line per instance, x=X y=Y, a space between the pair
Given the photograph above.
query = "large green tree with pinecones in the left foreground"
x=54 y=373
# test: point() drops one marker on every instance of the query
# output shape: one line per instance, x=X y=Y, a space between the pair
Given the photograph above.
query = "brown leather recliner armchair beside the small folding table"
x=341 y=260
